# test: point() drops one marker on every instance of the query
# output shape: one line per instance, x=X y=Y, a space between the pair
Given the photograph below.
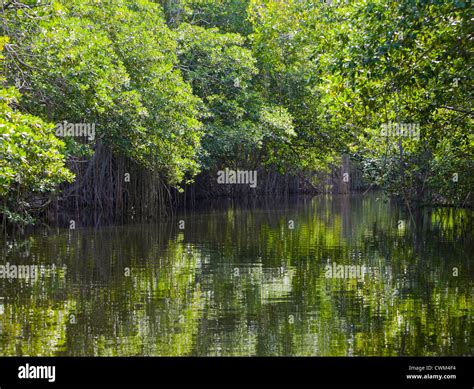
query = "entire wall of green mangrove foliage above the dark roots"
x=179 y=87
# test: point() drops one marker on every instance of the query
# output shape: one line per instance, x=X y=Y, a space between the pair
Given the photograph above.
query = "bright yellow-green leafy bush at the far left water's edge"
x=31 y=158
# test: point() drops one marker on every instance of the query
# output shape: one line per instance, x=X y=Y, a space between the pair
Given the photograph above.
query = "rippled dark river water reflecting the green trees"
x=239 y=280
